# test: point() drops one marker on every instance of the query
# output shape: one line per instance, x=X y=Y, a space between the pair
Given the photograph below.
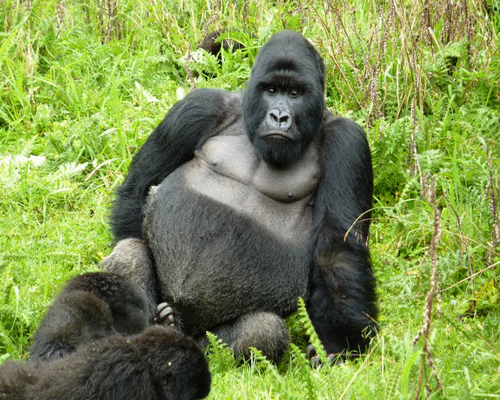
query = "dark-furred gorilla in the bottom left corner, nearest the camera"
x=159 y=364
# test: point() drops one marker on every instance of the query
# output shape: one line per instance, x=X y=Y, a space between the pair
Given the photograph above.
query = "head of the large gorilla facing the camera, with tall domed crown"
x=283 y=104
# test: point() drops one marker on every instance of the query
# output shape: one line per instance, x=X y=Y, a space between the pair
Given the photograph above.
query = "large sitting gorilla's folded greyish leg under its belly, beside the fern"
x=265 y=331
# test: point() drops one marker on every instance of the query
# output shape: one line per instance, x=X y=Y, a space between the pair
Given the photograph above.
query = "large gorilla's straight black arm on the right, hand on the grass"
x=342 y=300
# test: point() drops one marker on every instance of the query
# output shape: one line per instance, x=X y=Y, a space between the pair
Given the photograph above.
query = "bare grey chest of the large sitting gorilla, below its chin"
x=228 y=170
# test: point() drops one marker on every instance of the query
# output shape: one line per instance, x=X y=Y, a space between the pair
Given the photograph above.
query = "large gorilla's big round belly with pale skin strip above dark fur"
x=222 y=248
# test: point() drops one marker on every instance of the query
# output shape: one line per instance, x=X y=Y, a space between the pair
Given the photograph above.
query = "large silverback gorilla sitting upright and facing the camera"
x=239 y=203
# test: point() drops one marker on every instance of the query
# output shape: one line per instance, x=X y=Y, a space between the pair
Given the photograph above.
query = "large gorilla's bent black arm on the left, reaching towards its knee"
x=188 y=123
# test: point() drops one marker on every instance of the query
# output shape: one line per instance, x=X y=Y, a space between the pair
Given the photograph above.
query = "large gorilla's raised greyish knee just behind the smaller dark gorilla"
x=132 y=259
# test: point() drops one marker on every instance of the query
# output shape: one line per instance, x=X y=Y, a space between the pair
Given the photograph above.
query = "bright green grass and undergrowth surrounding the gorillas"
x=83 y=83
